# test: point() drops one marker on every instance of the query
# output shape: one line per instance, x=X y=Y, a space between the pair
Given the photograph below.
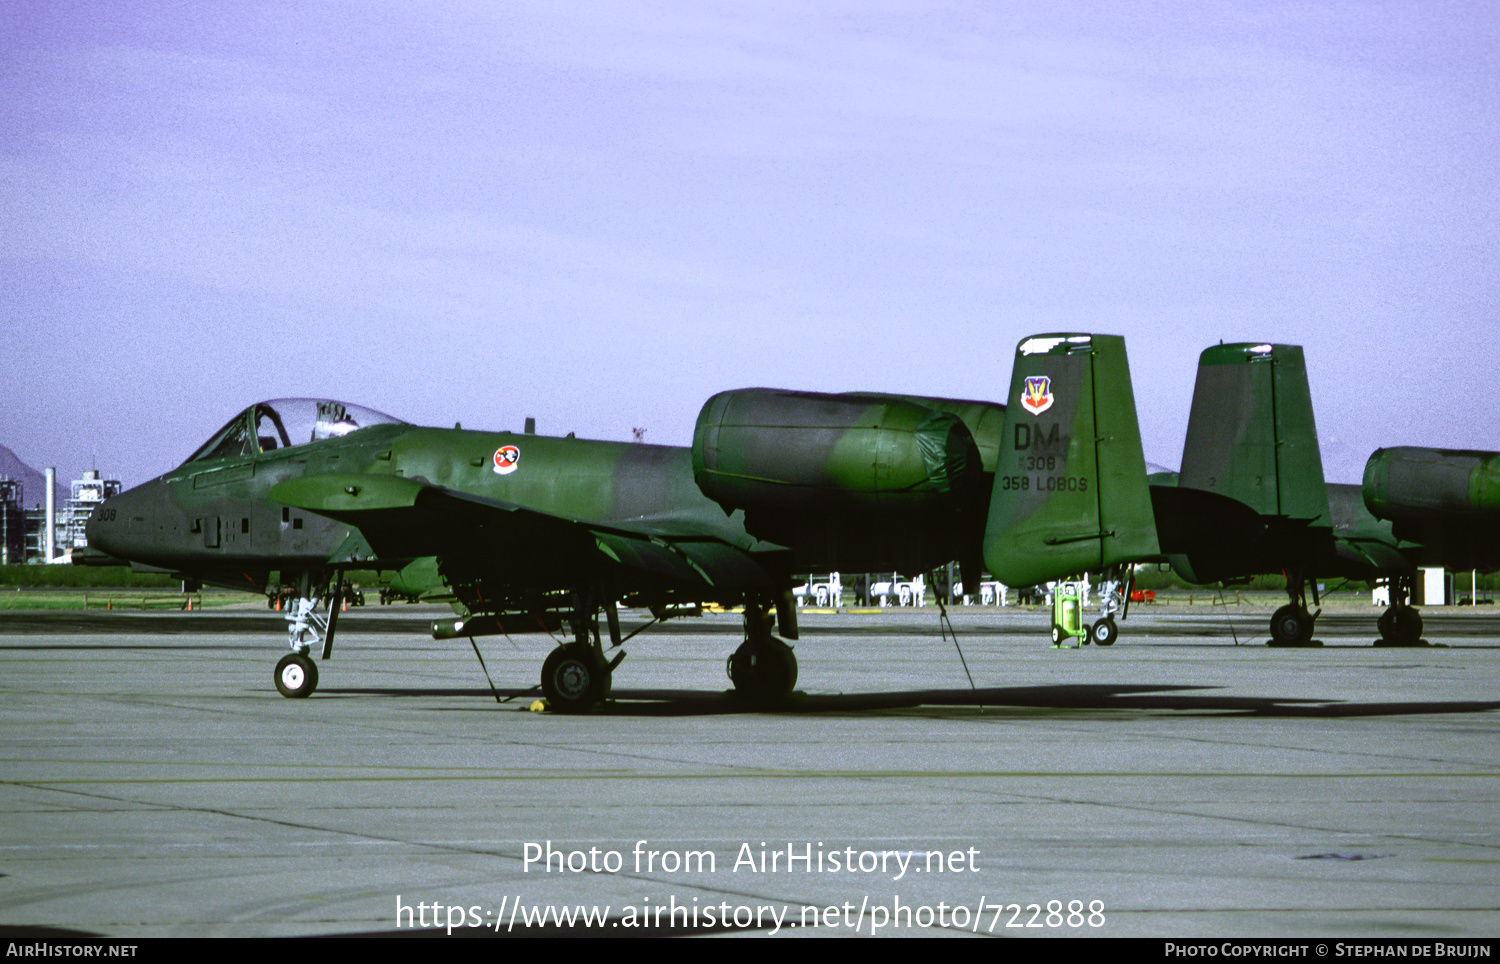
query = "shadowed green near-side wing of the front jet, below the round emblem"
x=404 y=519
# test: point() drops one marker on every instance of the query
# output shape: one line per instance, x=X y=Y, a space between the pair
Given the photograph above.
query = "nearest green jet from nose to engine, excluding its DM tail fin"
x=532 y=533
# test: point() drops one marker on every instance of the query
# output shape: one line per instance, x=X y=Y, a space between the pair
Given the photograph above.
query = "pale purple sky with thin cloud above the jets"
x=602 y=214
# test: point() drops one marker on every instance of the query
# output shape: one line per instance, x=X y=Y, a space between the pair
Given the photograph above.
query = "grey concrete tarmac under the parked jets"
x=1175 y=785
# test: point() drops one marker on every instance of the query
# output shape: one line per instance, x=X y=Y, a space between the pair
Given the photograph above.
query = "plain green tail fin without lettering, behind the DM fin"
x=1252 y=434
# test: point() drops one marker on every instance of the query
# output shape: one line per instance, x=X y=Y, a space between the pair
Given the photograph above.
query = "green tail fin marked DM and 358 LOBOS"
x=1070 y=488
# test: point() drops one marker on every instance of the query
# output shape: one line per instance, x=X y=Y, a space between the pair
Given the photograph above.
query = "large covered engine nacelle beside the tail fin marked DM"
x=802 y=452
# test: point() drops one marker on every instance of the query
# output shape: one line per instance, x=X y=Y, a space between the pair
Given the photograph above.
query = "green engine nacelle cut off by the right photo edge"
x=1433 y=485
